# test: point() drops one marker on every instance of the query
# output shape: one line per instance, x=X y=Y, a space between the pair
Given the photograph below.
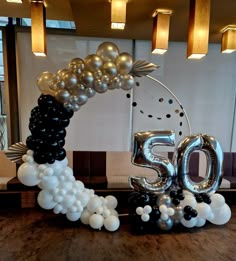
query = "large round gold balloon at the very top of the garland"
x=107 y=51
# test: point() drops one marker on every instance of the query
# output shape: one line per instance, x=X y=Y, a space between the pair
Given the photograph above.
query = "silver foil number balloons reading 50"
x=144 y=156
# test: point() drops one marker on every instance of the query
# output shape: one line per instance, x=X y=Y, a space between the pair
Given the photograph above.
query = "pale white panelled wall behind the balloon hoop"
x=205 y=88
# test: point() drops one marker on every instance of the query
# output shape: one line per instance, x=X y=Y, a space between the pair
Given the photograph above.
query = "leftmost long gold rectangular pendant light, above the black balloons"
x=38 y=28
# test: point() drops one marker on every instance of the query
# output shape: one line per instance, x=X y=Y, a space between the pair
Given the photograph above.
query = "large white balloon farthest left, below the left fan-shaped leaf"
x=28 y=174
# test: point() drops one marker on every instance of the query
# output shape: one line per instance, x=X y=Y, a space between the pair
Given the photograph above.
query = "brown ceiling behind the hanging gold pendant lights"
x=92 y=17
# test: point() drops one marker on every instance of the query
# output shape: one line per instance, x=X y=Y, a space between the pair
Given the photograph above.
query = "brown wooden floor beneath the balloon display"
x=36 y=234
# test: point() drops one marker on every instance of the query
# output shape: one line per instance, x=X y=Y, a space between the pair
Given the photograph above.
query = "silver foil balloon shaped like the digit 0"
x=214 y=155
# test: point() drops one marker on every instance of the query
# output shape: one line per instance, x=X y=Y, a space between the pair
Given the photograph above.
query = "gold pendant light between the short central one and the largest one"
x=160 y=32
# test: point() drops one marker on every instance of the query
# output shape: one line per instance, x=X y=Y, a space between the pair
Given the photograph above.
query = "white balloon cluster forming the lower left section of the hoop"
x=65 y=195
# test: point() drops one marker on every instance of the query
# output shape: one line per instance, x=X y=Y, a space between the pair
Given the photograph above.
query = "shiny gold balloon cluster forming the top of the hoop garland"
x=107 y=69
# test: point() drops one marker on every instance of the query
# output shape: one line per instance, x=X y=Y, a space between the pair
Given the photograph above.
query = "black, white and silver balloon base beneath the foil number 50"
x=150 y=213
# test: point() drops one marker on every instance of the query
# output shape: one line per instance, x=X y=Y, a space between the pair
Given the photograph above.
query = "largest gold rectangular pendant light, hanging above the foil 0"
x=198 y=29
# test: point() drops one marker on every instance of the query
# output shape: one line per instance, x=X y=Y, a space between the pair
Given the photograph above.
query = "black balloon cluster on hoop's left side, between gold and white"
x=47 y=125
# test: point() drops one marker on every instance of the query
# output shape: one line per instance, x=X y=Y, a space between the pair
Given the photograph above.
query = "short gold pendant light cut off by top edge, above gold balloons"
x=118 y=14
